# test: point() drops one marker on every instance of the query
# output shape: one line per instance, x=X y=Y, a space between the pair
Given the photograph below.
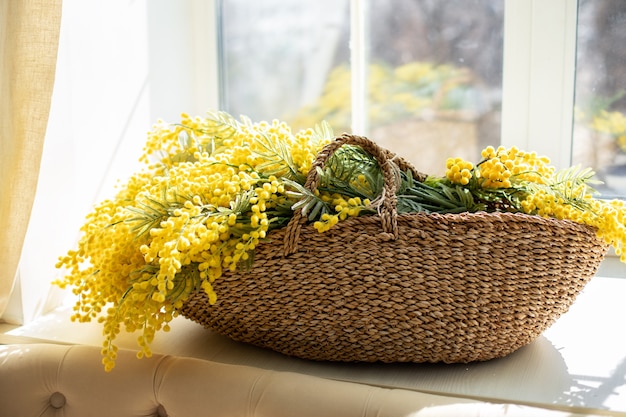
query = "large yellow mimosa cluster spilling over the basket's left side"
x=172 y=229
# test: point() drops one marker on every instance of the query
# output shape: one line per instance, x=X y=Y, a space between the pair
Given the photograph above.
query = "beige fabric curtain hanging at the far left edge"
x=29 y=35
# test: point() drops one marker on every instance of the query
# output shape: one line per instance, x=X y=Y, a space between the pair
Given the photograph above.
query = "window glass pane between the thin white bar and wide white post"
x=435 y=78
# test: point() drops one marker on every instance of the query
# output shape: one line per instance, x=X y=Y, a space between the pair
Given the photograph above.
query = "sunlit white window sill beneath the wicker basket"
x=578 y=365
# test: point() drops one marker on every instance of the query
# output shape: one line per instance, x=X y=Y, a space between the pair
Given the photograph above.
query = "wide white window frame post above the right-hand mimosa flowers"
x=539 y=77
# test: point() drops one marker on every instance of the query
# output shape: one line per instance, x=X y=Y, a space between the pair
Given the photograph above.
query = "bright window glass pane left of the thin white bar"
x=279 y=55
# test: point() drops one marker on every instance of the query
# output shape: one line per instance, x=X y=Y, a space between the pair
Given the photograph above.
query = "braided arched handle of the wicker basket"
x=388 y=162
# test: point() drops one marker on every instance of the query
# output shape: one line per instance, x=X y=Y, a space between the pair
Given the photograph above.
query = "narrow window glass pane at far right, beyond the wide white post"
x=600 y=124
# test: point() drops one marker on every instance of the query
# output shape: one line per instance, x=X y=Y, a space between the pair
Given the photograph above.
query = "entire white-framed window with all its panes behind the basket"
x=425 y=78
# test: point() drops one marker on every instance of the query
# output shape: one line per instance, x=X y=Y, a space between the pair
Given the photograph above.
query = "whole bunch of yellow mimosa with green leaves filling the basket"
x=214 y=189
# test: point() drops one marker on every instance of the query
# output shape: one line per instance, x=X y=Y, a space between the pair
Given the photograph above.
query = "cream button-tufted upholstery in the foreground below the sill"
x=58 y=380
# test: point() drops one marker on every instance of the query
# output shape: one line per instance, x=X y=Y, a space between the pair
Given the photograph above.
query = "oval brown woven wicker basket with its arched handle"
x=403 y=288
